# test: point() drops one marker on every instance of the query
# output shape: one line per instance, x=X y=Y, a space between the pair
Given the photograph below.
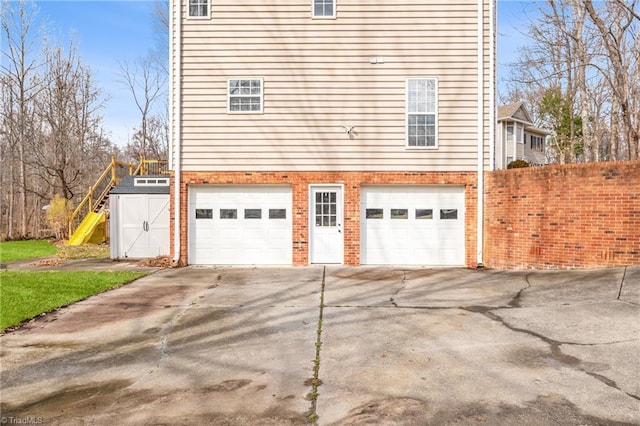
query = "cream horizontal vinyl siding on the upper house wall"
x=319 y=78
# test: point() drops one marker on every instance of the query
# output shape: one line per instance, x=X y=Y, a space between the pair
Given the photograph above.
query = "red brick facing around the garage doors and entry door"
x=300 y=181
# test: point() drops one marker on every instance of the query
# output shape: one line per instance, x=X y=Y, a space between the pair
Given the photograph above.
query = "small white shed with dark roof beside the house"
x=139 y=217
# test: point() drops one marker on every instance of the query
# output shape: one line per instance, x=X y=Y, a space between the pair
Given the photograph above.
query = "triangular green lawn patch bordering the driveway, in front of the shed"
x=24 y=295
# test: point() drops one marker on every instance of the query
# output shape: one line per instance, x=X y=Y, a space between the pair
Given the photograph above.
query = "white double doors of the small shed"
x=144 y=225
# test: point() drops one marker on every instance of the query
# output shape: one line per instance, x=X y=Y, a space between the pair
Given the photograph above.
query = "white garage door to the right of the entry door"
x=412 y=225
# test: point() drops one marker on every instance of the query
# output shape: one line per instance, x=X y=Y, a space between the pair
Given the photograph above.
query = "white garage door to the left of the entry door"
x=240 y=225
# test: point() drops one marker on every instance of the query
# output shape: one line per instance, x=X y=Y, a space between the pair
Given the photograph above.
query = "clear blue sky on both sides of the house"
x=109 y=31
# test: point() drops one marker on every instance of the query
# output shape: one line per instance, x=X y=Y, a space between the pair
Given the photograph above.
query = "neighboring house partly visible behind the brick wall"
x=517 y=138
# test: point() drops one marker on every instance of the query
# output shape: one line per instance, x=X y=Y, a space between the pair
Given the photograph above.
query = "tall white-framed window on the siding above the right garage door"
x=422 y=112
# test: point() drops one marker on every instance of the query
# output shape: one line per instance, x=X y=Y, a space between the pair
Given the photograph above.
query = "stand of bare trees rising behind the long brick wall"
x=588 y=59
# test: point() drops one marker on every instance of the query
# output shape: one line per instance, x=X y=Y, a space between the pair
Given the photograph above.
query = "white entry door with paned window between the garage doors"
x=326 y=224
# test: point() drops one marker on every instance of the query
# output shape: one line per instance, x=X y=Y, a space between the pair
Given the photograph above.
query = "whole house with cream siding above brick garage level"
x=330 y=131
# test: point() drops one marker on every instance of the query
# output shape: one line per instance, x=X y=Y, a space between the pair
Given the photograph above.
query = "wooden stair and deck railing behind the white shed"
x=99 y=192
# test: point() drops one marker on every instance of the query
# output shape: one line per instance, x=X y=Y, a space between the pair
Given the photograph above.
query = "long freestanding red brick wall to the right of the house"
x=563 y=217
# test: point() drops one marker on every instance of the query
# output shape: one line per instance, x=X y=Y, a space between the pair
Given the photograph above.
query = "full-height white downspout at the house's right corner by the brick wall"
x=480 y=203
